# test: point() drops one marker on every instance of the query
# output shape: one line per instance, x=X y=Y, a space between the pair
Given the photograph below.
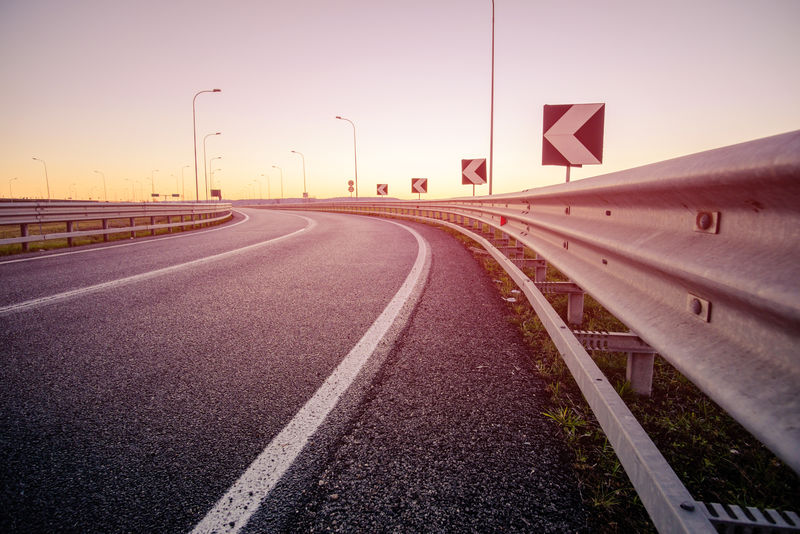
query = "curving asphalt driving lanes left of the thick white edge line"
x=135 y=406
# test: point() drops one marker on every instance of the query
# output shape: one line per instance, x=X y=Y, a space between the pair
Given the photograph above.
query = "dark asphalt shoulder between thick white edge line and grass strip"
x=449 y=436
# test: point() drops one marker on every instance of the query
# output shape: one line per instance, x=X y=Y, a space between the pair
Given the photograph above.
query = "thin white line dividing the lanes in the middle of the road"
x=58 y=297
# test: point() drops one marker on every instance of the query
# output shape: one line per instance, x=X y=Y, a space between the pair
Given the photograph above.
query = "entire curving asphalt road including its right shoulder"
x=141 y=380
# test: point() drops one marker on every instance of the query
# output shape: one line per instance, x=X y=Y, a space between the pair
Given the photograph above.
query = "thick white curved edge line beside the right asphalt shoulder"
x=232 y=512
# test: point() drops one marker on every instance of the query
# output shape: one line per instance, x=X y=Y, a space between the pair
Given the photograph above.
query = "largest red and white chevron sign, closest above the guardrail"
x=573 y=134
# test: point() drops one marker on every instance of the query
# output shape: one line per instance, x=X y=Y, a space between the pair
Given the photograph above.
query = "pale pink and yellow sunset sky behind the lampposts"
x=107 y=86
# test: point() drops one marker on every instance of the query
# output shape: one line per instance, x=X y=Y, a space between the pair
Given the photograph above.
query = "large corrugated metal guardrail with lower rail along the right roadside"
x=699 y=256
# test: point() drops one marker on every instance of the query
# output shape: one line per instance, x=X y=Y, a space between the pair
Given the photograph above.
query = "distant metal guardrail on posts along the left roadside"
x=113 y=218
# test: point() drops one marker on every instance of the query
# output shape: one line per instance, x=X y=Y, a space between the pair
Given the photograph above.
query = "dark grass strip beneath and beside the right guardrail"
x=715 y=457
